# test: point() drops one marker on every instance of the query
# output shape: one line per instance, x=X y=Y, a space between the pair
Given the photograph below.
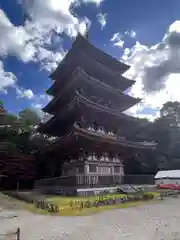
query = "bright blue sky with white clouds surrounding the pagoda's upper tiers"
x=36 y=34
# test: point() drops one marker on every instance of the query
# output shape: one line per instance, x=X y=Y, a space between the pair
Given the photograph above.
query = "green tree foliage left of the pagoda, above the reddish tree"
x=18 y=131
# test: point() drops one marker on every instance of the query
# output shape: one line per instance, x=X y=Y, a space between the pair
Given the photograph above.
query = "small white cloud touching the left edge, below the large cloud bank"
x=7 y=79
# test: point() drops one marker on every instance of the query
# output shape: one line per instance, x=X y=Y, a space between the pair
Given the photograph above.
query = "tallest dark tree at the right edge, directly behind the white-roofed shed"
x=166 y=131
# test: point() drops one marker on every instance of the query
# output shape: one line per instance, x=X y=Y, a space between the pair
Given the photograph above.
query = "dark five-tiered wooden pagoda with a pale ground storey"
x=87 y=117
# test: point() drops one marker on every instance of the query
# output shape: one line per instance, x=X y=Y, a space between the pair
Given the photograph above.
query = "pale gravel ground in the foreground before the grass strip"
x=159 y=220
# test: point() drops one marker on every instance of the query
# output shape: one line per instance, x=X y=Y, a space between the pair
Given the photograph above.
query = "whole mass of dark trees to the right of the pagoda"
x=166 y=132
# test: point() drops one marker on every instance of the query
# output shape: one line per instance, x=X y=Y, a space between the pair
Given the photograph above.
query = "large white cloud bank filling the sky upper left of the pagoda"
x=33 y=41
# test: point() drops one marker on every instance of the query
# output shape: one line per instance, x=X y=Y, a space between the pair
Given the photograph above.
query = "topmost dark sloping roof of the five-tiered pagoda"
x=82 y=44
